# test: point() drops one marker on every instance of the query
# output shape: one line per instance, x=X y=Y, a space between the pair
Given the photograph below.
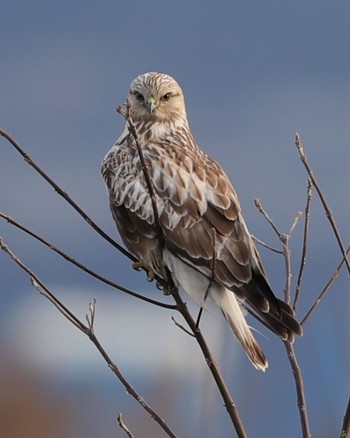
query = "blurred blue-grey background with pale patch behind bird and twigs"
x=253 y=74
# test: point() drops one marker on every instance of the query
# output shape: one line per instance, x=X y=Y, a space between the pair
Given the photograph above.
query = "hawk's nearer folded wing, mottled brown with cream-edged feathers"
x=194 y=197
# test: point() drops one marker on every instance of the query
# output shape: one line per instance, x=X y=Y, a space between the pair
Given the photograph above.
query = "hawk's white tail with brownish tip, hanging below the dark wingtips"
x=228 y=304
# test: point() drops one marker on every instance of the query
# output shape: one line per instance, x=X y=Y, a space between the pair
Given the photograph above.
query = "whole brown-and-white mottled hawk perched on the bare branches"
x=194 y=201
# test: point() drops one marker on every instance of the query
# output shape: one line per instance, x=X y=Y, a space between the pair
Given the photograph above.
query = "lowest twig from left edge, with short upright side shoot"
x=89 y=331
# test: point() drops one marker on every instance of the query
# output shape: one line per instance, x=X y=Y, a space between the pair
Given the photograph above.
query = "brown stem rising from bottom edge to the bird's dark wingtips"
x=299 y=384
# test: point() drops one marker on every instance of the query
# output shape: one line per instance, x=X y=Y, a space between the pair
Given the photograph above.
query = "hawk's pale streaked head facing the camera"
x=157 y=97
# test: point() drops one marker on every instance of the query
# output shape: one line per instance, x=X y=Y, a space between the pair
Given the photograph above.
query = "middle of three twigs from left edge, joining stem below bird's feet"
x=83 y=267
